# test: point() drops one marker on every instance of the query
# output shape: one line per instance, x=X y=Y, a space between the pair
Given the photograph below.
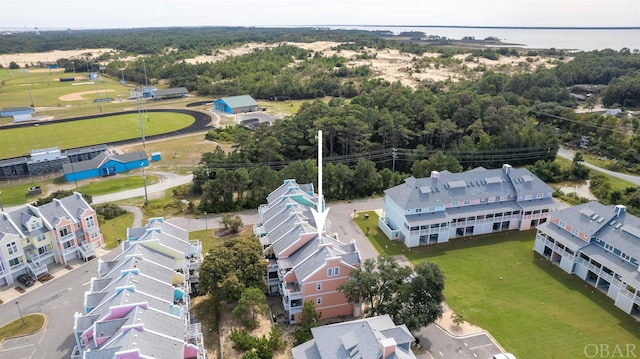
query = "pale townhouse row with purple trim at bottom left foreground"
x=138 y=306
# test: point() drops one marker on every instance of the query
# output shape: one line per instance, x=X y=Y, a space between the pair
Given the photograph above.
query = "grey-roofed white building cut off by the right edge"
x=601 y=245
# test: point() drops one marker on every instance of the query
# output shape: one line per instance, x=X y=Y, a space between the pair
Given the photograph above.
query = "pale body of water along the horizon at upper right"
x=571 y=39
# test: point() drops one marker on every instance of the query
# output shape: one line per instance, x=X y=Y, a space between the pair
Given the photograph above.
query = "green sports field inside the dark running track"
x=20 y=141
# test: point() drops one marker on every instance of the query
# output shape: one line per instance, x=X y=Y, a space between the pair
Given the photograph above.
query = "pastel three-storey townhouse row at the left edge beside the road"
x=33 y=237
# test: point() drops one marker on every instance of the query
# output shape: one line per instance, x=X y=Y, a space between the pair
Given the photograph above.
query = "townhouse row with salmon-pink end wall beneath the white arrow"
x=303 y=265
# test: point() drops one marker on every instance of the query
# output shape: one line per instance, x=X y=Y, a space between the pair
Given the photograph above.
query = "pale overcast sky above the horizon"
x=85 y=14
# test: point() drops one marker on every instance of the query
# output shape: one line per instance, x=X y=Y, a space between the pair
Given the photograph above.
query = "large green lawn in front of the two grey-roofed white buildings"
x=532 y=307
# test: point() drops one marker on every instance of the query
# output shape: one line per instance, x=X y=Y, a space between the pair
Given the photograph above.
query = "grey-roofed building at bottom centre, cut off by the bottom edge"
x=375 y=338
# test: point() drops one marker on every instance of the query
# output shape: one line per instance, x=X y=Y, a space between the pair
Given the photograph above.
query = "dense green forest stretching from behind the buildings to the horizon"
x=376 y=133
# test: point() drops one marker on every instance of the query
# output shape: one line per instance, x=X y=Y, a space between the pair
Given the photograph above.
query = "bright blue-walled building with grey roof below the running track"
x=104 y=164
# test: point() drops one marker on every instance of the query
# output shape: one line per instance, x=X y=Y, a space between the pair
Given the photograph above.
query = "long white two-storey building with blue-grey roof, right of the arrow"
x=480 y=201
